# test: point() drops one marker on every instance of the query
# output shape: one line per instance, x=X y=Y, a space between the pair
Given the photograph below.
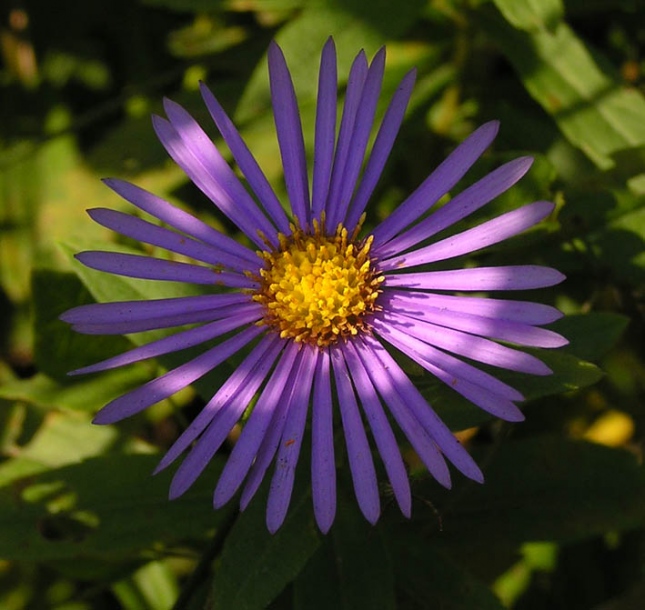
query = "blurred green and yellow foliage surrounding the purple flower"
x=559 y=523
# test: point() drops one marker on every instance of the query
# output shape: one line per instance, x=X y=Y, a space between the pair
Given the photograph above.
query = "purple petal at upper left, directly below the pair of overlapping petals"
x=180 y=220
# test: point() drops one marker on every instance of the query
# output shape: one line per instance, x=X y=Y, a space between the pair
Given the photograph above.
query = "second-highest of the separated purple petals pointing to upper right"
x=460 y=206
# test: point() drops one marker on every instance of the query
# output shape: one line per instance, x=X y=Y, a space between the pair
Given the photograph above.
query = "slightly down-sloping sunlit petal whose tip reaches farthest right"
x=514 y=332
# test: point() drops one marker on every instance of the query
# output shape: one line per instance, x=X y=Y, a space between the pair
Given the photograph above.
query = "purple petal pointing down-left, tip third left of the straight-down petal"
x=255 y=429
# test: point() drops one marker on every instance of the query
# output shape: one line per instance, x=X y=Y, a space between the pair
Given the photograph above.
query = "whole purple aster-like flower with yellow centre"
x=316 y=301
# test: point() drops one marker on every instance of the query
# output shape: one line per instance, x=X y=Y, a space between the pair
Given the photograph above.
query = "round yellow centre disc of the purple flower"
x=318 y=288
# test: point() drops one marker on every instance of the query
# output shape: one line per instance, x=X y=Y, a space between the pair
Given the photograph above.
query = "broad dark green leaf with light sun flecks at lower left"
x=104 y=507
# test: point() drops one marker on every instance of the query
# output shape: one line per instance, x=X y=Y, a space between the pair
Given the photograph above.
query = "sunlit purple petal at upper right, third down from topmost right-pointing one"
x=486 y=234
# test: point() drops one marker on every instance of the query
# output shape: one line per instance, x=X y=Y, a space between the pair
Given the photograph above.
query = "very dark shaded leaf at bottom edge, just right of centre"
x=432 y=579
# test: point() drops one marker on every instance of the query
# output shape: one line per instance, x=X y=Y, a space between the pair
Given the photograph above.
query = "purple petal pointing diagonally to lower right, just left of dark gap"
x=401 y=387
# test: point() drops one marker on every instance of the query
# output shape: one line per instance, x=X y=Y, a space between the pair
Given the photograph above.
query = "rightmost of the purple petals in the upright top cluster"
x=382 y=147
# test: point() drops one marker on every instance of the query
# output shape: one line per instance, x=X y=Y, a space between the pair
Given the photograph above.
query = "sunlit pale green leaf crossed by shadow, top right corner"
x=592 y=107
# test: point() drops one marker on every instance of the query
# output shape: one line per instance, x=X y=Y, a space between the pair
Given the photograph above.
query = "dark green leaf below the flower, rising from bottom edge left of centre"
x=255 y=565
